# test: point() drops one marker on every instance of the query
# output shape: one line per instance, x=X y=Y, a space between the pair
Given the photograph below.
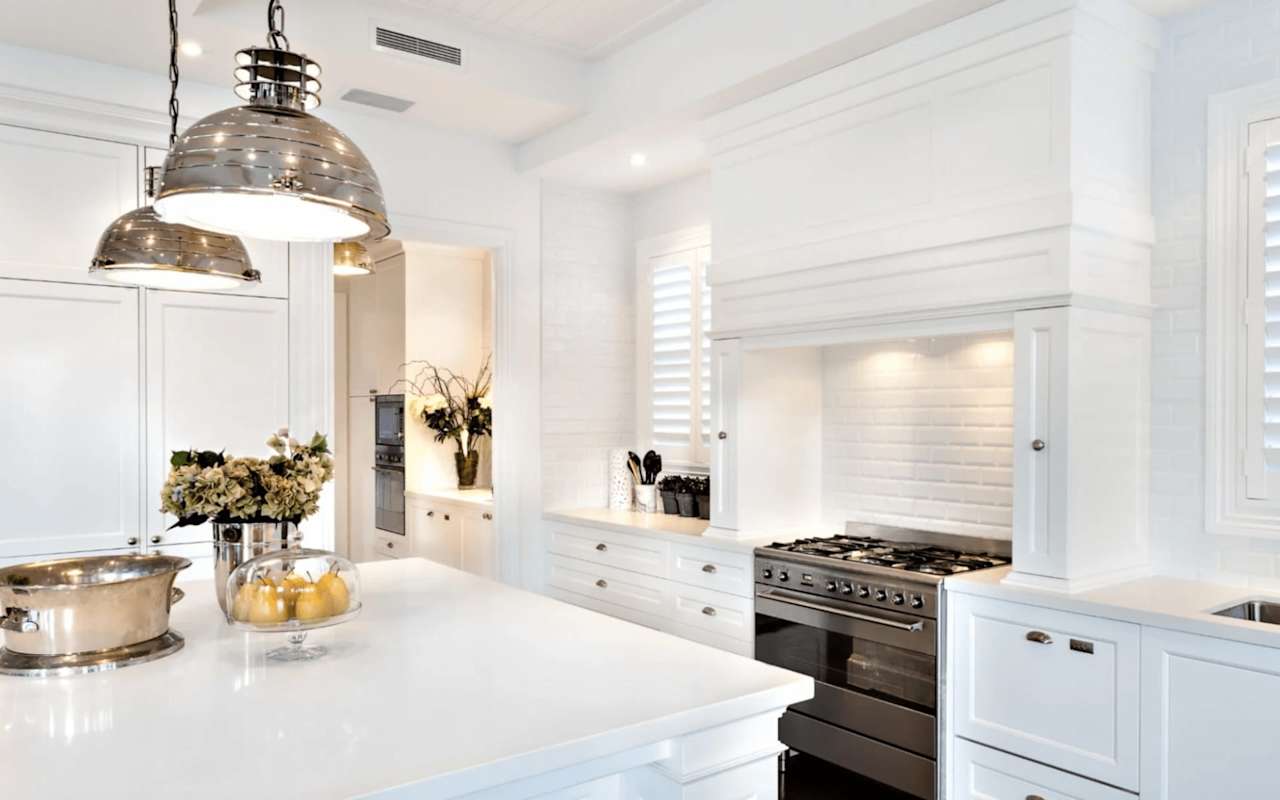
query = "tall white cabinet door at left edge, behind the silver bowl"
x=70 y=417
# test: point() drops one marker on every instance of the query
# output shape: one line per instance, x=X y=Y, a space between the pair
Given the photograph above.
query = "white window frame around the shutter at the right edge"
x=1229 y=313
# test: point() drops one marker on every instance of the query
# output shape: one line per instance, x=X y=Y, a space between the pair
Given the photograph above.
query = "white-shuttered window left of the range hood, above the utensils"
x=674 y=372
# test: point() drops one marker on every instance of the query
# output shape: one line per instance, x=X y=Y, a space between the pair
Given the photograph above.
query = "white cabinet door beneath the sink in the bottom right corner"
x=1210 y=711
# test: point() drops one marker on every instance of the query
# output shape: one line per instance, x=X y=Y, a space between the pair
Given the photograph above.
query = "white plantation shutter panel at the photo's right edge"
x=1263 y=316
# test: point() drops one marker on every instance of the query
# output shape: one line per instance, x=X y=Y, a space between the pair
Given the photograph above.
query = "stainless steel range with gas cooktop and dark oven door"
x=860 y=614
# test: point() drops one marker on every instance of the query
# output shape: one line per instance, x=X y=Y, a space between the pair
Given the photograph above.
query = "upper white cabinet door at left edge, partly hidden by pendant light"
x=65 y=193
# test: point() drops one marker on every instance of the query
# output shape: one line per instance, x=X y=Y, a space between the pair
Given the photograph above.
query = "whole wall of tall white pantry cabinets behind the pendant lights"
x=100 y=382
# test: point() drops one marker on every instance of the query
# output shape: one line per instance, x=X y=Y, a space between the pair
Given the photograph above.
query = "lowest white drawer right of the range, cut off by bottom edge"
x=982 y=774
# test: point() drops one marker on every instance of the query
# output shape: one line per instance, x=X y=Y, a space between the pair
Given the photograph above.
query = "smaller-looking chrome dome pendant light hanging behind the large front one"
x=140 y=249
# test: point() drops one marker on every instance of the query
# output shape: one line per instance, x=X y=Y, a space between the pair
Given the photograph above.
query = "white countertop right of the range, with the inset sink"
x=1160 y=602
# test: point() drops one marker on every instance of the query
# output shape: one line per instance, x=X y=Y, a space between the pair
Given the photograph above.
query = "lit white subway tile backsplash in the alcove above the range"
x=920 y=435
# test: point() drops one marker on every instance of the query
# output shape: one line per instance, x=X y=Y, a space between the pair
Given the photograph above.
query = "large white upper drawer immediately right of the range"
x=1052 y=687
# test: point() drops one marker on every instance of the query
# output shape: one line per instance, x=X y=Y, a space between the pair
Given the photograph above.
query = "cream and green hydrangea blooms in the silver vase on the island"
x=204 y=486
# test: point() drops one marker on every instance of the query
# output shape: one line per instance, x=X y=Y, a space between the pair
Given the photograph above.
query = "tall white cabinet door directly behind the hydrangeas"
x=218 y=380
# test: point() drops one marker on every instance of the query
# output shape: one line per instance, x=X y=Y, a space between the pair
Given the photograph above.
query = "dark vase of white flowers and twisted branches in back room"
x=456 y=409
